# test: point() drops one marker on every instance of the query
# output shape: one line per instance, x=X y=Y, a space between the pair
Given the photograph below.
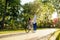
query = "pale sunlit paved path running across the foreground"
x=38 y=35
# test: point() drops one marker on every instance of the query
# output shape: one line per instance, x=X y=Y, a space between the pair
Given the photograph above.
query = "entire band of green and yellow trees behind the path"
x=14 y=15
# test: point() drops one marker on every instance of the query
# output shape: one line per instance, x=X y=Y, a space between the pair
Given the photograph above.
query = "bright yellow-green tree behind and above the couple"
x=43 y=9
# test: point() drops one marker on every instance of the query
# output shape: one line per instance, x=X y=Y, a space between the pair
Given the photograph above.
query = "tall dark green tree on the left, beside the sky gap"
x=11 y=10
